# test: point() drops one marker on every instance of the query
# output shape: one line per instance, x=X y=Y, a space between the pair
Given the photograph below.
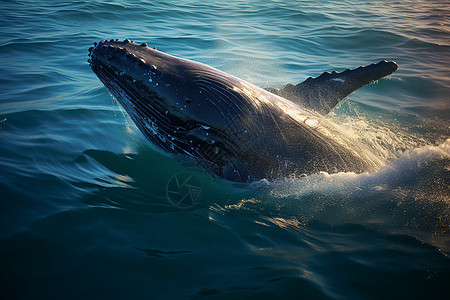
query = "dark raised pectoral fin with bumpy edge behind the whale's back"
x=323 y=93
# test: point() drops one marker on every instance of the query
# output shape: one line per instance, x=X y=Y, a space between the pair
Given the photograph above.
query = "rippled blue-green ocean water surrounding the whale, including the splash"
x=89 y=209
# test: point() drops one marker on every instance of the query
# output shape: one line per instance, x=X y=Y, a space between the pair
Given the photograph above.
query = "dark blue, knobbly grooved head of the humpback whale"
x=171 y=104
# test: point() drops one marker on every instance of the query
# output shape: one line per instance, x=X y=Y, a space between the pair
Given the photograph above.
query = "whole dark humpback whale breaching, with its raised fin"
x=231 y=127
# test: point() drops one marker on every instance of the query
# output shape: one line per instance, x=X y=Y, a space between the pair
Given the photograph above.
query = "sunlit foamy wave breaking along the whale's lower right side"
x=409 y=195
